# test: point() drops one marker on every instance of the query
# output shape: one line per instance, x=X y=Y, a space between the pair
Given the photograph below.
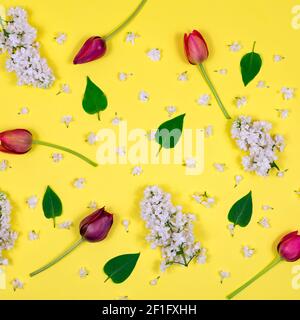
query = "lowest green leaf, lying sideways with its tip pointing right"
x=120 y=268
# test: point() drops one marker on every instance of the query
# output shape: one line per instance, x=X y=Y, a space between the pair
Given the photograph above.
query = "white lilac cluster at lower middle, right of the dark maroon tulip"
x=170 y=229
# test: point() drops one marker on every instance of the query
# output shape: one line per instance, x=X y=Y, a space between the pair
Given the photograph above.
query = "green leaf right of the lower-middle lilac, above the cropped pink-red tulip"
x=241 y=212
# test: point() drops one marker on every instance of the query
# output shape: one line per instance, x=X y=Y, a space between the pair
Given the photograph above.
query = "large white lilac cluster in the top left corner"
x=18 y=39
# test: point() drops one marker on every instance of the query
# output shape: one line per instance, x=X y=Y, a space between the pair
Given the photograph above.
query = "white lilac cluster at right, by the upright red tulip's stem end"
x=255 y=137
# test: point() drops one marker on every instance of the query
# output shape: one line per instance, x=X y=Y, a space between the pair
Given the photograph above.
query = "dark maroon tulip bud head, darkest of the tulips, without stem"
x=96 y=226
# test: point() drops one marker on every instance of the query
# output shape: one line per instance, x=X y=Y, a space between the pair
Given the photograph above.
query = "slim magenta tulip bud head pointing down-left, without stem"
x=94 y=48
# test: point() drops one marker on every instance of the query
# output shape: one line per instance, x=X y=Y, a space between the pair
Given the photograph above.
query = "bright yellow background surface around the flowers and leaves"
x=161 y=24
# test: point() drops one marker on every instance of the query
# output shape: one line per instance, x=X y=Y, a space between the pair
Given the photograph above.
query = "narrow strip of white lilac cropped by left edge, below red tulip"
x=7 y=236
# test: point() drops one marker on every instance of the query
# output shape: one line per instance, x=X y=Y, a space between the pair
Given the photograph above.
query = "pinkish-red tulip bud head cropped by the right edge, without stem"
x=289 y=247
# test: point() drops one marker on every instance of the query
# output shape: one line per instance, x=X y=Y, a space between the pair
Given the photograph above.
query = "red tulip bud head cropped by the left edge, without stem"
x=16 y=141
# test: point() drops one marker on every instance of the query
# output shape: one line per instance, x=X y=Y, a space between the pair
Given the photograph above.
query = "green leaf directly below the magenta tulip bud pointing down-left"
x=94 y=99
